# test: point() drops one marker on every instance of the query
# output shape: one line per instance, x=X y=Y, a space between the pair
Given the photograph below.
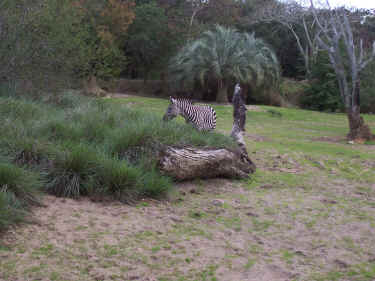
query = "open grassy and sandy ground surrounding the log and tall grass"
x=308 y=213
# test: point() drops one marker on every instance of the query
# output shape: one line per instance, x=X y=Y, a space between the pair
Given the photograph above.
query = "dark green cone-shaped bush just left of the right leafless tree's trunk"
x=322 y=93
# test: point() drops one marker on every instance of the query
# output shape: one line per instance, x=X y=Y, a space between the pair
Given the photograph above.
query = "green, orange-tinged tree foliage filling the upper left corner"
x=55 y=43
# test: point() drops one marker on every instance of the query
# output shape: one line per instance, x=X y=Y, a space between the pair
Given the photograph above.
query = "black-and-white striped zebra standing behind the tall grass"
x=202 y=117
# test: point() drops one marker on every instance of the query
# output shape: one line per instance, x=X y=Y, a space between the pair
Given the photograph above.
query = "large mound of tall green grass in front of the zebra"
x=94 y=147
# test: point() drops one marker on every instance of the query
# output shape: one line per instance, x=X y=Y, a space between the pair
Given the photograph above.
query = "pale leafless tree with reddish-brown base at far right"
x=348 y=59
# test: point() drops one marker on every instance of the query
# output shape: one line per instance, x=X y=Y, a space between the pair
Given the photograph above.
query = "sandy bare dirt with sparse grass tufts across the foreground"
x=216 y=228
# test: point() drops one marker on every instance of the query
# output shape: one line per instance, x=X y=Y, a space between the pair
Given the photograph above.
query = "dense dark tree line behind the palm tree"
x=70 y=41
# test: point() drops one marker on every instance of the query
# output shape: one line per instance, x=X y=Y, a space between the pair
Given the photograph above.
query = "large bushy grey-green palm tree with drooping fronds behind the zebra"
x=225 y=55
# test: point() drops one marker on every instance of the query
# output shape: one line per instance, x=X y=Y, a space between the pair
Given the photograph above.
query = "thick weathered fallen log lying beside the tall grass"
x=191 y=163
